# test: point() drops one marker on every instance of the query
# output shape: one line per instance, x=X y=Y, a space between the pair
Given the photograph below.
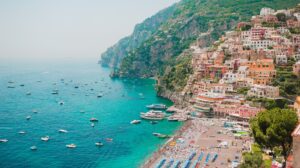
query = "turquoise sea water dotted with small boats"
x=131 y=144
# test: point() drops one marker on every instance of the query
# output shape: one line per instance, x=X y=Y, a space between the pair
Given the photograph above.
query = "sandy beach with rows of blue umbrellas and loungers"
x=207 y=140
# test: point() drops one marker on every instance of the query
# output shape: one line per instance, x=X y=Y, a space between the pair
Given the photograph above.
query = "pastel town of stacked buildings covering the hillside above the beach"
x=243 y=64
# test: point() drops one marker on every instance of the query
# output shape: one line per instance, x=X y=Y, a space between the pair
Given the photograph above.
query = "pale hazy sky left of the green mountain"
x=55 y=29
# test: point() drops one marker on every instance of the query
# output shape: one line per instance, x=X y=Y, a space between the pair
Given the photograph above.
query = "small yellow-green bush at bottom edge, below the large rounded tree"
x=252 y=159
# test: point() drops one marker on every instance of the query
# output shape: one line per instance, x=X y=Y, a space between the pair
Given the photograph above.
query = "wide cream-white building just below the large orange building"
x=263 y=91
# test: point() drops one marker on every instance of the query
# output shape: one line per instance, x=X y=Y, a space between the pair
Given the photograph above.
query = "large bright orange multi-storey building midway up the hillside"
x=262 y=71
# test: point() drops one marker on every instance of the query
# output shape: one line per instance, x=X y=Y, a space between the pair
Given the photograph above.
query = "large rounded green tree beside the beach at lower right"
x=273 y=128
